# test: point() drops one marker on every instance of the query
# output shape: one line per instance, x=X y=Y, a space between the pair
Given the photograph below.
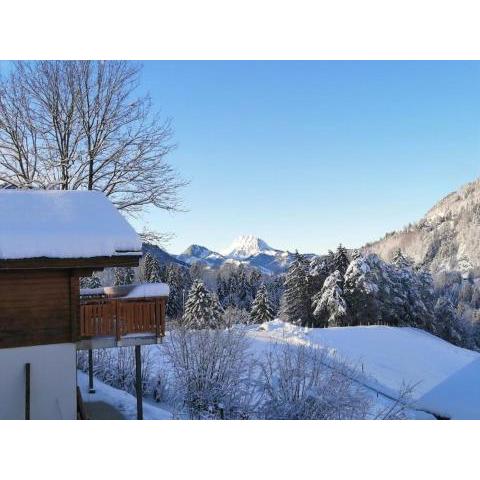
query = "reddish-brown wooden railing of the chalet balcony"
x=104 y=317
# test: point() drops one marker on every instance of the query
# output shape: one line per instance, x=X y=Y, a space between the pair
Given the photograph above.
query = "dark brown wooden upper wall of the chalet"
x=38 y=307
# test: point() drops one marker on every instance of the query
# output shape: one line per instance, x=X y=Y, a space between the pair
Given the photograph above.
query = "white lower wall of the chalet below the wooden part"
x=52 y=382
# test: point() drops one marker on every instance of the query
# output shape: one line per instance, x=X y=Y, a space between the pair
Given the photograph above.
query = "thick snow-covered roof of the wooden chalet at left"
x=62 y=224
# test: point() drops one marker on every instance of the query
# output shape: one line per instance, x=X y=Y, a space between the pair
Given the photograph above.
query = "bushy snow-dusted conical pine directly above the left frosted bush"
x=202 y=309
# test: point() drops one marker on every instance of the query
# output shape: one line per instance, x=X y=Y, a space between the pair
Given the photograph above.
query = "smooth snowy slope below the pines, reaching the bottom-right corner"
x=446 y=377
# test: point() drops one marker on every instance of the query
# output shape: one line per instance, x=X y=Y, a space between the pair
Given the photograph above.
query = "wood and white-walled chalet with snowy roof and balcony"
x=48 y=240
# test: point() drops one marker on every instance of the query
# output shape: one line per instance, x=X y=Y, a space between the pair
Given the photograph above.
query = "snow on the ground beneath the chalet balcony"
x=125 y=403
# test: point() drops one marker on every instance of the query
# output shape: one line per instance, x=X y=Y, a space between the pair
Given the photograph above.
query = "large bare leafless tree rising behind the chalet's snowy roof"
x=81 y=125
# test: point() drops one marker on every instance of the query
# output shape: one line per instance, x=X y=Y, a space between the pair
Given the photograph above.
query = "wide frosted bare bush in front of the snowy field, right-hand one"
x=300 y=383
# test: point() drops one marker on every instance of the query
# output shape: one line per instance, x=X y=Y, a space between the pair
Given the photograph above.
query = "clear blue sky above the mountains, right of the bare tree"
x=309 y=154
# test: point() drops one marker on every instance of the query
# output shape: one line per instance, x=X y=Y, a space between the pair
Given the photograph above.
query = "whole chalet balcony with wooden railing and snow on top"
x=122 y=316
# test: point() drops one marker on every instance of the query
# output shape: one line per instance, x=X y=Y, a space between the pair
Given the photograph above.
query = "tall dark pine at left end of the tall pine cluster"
x=296 y=300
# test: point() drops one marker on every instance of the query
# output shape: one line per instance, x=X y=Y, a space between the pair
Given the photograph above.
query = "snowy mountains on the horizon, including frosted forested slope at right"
x=447 y=238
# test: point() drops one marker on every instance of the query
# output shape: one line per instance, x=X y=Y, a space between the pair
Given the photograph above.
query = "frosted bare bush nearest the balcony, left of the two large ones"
x=211 y=372
